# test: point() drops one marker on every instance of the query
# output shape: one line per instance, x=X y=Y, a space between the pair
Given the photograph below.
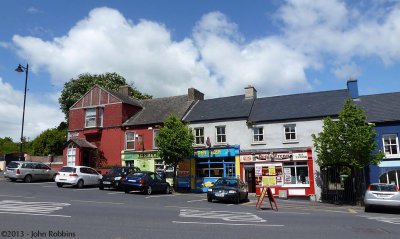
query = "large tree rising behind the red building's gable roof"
x=76 y=88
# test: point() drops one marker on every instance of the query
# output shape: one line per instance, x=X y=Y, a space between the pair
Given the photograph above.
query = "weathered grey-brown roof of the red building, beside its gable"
x=157 y=110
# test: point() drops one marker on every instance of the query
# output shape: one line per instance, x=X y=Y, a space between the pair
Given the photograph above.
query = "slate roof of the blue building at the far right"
x=381 y=107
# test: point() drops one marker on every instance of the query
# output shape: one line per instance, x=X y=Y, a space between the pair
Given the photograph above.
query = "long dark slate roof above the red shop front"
x=299 y=106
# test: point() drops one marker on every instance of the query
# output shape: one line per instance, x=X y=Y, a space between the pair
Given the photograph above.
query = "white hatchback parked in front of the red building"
x=77 y=176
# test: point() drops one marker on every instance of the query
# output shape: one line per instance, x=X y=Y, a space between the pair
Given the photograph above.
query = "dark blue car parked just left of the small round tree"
x=145 y=182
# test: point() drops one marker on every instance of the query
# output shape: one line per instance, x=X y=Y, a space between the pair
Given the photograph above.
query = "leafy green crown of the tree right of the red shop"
x=348 y=141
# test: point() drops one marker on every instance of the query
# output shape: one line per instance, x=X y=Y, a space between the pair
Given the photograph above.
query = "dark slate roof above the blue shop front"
x=232 y=107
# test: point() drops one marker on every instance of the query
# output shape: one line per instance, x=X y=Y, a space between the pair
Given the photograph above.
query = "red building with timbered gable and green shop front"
x=108 y=128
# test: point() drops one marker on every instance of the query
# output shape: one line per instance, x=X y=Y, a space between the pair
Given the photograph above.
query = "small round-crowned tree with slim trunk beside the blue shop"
x=175 y=142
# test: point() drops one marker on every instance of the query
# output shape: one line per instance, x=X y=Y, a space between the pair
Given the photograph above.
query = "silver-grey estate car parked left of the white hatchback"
x=29 y=171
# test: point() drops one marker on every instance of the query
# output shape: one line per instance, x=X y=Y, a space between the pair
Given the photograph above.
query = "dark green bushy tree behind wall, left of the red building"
x=51 y=141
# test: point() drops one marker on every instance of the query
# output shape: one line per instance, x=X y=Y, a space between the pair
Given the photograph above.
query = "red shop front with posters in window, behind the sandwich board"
x=287 y=173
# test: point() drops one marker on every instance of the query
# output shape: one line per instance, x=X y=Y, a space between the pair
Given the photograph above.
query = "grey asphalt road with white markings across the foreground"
x=41 y=210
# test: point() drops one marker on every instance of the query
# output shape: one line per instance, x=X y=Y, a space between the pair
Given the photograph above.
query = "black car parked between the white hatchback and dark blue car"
x=113 y=178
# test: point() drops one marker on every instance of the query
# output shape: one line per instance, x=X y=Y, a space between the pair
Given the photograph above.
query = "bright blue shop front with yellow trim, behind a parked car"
x=213 y=163
